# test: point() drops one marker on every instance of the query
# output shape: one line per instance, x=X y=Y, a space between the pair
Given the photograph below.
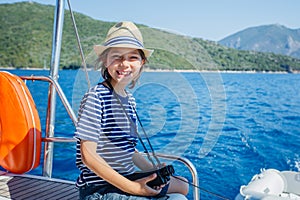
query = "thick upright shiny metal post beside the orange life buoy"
x=54 y=68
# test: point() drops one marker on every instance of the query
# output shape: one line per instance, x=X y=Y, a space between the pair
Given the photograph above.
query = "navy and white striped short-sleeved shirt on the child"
x=101 y=119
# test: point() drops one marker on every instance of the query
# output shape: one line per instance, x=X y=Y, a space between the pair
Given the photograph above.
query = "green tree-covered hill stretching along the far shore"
x=26 y=39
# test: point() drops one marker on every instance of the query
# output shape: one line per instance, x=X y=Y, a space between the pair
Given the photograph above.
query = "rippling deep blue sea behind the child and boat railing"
x=229 y=125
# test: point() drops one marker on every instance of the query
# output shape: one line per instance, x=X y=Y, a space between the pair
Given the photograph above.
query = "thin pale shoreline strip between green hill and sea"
x=183 y=71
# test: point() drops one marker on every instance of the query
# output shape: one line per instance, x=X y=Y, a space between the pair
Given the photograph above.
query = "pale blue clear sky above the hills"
x=206 y=19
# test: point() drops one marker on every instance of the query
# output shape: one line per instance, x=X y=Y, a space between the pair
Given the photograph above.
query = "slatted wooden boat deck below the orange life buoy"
x=34 y=187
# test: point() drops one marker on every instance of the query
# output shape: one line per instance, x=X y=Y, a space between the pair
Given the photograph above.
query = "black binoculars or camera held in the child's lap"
x=162 y=175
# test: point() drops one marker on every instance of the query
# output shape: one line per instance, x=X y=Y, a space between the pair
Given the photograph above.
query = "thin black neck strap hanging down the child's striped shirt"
x=132 y=124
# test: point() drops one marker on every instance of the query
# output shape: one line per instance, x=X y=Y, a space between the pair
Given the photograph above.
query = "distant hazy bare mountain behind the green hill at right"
x=269 y=38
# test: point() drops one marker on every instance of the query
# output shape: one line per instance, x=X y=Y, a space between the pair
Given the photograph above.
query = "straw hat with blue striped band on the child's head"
x=123 y=34
